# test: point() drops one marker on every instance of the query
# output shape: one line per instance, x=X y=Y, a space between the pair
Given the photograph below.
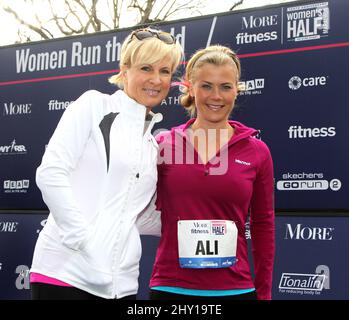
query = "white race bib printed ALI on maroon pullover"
x=207 y=243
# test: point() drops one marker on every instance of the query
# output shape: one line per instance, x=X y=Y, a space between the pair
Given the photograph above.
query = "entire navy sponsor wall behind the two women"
x=294 y=66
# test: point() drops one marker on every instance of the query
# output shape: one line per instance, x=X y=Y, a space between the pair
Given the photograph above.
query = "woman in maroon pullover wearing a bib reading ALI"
x=214 y=175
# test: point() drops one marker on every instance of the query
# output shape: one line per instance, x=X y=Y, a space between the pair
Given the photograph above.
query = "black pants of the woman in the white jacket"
x=44 y=291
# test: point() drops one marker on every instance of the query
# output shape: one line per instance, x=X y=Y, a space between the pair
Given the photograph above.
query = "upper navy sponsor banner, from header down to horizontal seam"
x=287 y=91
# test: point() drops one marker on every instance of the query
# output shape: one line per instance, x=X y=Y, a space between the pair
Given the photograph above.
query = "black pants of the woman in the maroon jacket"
x=162 y=295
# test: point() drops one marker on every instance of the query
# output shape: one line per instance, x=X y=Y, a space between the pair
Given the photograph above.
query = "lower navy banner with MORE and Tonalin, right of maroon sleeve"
x=308 y=260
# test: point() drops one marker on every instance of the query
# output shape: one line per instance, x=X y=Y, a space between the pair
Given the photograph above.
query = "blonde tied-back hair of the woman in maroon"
x=217 y=55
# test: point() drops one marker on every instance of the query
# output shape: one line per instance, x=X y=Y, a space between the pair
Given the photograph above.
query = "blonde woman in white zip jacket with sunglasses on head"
x=98 y=175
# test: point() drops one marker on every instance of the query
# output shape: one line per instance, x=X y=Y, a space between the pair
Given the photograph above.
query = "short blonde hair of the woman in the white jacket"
x=147 y=51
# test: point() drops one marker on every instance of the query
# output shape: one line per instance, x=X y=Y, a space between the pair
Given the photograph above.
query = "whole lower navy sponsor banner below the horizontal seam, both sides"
x=309 y=261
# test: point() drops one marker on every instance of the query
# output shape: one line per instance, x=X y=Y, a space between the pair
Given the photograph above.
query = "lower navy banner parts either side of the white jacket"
x=21 y=231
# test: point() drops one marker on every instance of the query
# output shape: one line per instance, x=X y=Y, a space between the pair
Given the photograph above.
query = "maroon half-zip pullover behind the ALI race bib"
x=236 y=185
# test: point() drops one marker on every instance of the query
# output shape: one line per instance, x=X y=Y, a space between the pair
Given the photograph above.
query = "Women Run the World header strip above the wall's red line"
x=274 y=28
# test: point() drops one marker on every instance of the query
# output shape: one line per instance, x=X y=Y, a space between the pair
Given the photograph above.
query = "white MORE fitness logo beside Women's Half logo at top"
x=254 y=22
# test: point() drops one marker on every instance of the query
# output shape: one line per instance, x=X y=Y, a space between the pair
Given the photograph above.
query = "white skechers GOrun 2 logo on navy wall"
x=307 y=182
